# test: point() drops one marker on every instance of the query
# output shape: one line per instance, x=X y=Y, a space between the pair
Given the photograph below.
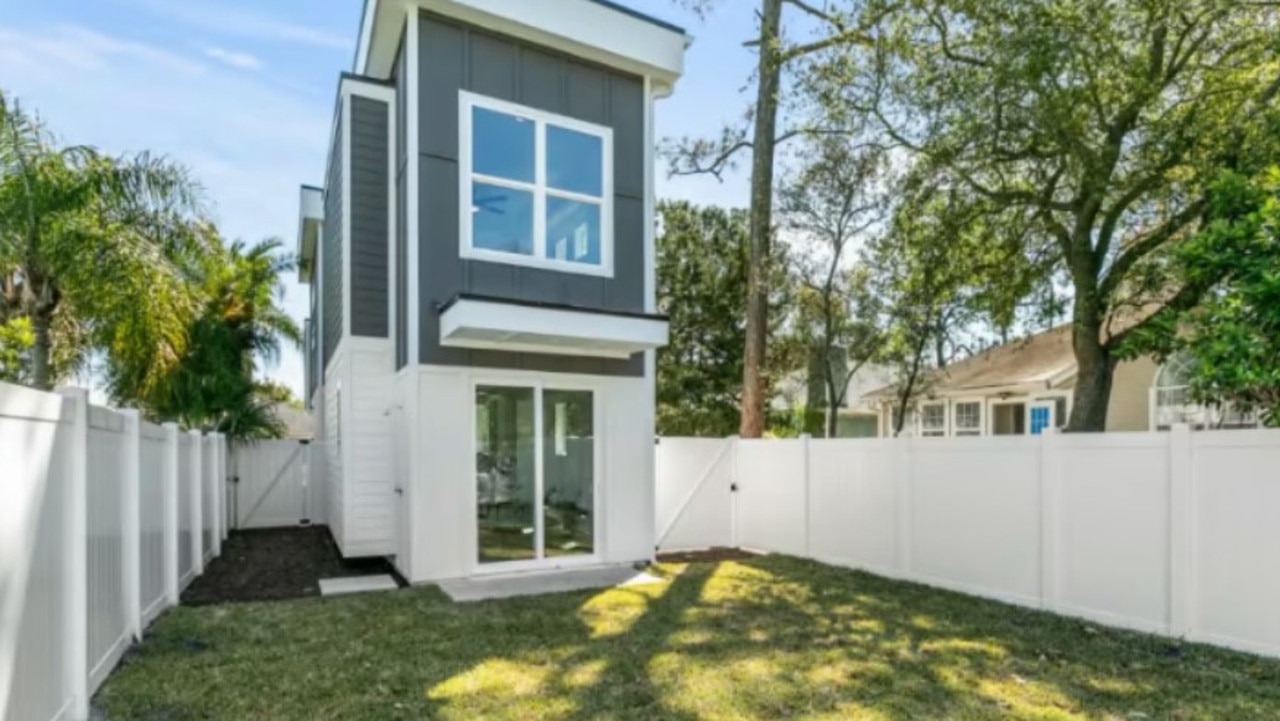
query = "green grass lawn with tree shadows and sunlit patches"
x=772 y=638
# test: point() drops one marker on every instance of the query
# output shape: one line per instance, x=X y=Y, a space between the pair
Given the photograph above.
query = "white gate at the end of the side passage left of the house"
x=276 y=485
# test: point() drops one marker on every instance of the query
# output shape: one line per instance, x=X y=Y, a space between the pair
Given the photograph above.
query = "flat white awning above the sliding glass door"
x=472 y=323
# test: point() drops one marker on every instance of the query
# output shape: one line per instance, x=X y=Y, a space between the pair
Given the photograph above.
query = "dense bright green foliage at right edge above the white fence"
x=1233 y=337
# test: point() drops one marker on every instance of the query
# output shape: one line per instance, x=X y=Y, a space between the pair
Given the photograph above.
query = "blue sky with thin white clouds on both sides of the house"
x=243 y=93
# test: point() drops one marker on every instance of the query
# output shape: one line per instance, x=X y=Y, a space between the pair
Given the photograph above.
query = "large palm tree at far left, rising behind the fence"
x=95 y=252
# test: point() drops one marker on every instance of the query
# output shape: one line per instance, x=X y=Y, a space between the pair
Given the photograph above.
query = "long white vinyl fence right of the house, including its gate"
x=1172 y=533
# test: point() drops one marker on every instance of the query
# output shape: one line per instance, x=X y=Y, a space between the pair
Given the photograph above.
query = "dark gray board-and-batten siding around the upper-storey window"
x=455 y=57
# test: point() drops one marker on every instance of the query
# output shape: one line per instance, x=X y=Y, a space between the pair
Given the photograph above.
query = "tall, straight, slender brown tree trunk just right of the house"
x=761 y=221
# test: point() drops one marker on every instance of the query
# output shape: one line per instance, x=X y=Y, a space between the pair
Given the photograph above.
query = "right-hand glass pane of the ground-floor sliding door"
x=569 y=473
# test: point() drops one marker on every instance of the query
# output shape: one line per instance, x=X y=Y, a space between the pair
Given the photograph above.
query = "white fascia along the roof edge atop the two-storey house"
x=584 y=29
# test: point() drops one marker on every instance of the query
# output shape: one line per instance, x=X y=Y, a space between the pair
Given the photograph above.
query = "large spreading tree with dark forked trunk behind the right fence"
x=1101 y=125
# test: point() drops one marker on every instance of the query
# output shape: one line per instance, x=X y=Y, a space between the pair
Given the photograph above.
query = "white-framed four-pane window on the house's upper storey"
x=537 y=189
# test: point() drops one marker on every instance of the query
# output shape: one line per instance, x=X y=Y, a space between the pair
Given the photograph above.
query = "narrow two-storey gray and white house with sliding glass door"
x=482 y=264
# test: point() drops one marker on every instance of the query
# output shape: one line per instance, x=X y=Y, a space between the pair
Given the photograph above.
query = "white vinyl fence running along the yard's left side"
x=102 y=526
